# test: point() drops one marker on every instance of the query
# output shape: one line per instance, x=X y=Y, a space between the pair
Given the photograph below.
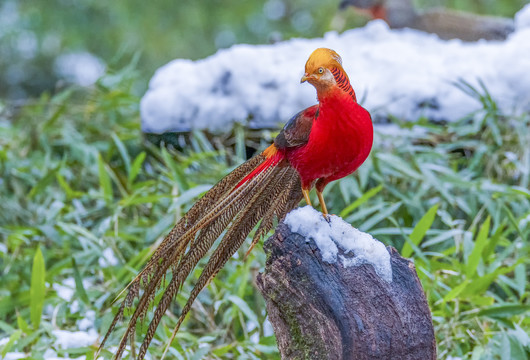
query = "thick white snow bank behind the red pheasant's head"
x=404 y=73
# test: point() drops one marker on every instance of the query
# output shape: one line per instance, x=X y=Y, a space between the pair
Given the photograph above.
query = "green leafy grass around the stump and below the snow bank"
x=77 y=179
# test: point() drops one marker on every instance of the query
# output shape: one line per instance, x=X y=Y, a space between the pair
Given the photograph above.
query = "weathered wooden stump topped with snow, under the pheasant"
x=336 y=293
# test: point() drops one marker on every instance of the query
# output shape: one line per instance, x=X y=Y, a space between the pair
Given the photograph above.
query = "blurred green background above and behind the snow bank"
x=33 y=33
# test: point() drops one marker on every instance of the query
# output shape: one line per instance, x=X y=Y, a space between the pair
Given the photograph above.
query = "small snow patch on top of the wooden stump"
x=339 y=240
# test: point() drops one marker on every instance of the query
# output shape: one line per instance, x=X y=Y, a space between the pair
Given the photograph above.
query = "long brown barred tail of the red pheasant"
x=258 y=190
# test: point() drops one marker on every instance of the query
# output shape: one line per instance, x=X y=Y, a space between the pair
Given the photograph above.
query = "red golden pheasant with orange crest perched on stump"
x=320 y=144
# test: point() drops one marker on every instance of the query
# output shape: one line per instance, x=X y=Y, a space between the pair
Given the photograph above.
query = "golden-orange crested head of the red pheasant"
x=319 y=69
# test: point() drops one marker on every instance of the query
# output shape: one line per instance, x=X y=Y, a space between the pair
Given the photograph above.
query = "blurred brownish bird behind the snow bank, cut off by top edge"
x=447 y=24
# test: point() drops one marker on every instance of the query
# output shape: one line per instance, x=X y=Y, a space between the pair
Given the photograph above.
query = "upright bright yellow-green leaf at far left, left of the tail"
x=38 y=289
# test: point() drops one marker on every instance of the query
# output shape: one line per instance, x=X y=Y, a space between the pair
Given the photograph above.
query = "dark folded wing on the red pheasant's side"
x=296 y=132
